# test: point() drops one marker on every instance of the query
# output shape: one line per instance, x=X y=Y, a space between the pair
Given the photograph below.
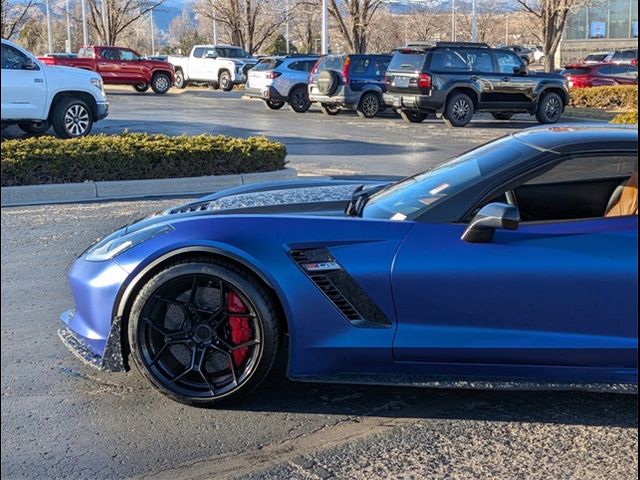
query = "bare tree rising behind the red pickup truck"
x=110 y=18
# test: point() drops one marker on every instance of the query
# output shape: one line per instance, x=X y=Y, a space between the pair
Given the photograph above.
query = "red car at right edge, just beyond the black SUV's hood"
x=599 y=75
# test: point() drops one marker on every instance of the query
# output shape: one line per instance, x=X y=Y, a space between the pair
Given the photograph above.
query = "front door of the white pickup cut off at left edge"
x=24 y=87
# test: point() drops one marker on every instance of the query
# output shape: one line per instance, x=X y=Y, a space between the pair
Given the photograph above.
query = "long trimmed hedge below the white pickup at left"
x=134 y=156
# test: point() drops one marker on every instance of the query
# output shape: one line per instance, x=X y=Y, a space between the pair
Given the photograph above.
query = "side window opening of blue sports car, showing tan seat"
x=579 y=188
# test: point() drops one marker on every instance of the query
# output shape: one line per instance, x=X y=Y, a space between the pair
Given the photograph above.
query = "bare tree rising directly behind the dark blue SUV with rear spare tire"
x=354 y=18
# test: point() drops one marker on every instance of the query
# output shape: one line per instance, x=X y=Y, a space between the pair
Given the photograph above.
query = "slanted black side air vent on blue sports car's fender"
x=339 y=287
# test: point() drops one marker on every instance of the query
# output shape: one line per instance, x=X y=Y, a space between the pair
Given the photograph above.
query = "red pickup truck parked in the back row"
x=120 y=66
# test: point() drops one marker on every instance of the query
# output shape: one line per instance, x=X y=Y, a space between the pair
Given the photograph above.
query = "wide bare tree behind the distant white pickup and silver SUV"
x=251 y=23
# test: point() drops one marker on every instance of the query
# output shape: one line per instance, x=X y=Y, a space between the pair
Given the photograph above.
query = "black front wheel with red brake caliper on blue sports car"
x=203 y=332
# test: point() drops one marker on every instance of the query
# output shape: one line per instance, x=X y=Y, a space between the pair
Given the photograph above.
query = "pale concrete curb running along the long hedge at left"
x=125 y=189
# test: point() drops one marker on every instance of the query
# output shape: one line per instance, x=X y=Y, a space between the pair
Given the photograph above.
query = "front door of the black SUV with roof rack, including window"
x=517 y=90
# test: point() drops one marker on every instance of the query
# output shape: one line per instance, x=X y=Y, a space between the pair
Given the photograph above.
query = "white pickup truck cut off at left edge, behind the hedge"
x=36 y=96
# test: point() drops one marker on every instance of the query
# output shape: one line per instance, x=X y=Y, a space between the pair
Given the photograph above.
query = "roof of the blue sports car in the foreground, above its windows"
x=581 y=137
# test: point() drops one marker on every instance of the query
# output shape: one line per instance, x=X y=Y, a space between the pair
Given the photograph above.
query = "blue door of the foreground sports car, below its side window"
x=552 y=293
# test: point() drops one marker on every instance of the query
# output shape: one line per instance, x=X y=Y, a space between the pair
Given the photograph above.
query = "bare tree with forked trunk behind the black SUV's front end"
x=553 y=15
